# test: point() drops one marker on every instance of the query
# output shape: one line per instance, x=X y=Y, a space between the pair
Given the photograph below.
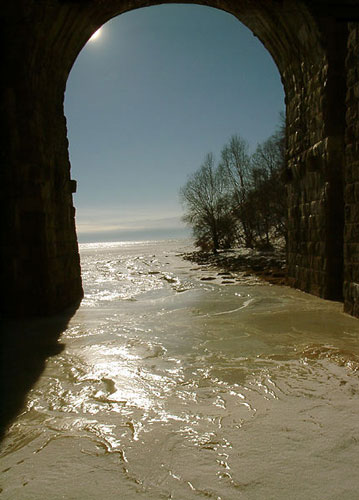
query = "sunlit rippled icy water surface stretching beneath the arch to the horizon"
x=166 y=386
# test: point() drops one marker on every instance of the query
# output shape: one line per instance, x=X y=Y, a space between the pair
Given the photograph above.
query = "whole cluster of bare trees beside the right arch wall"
x=242 y=200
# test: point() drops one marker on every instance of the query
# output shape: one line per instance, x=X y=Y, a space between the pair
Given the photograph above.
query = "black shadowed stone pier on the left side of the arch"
x=39 y=254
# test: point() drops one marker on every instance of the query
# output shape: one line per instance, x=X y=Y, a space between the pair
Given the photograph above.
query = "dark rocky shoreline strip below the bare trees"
x=242 y=264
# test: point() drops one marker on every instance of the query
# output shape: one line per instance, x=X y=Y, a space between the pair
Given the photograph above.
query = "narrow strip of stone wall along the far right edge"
x=351 y=234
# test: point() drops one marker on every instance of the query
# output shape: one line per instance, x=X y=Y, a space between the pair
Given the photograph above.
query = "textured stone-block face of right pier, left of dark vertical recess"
x=307 y=194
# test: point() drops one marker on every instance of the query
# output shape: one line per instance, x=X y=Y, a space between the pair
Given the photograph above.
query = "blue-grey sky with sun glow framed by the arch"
x=156 y=90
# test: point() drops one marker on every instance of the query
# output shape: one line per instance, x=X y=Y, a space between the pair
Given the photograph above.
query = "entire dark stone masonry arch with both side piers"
x=315 y=45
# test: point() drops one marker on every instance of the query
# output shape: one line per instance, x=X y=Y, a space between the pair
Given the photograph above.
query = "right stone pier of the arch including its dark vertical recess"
x=316 y=123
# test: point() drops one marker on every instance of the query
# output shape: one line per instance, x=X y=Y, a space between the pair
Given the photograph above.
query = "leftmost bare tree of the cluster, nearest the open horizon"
x=206 y=202
